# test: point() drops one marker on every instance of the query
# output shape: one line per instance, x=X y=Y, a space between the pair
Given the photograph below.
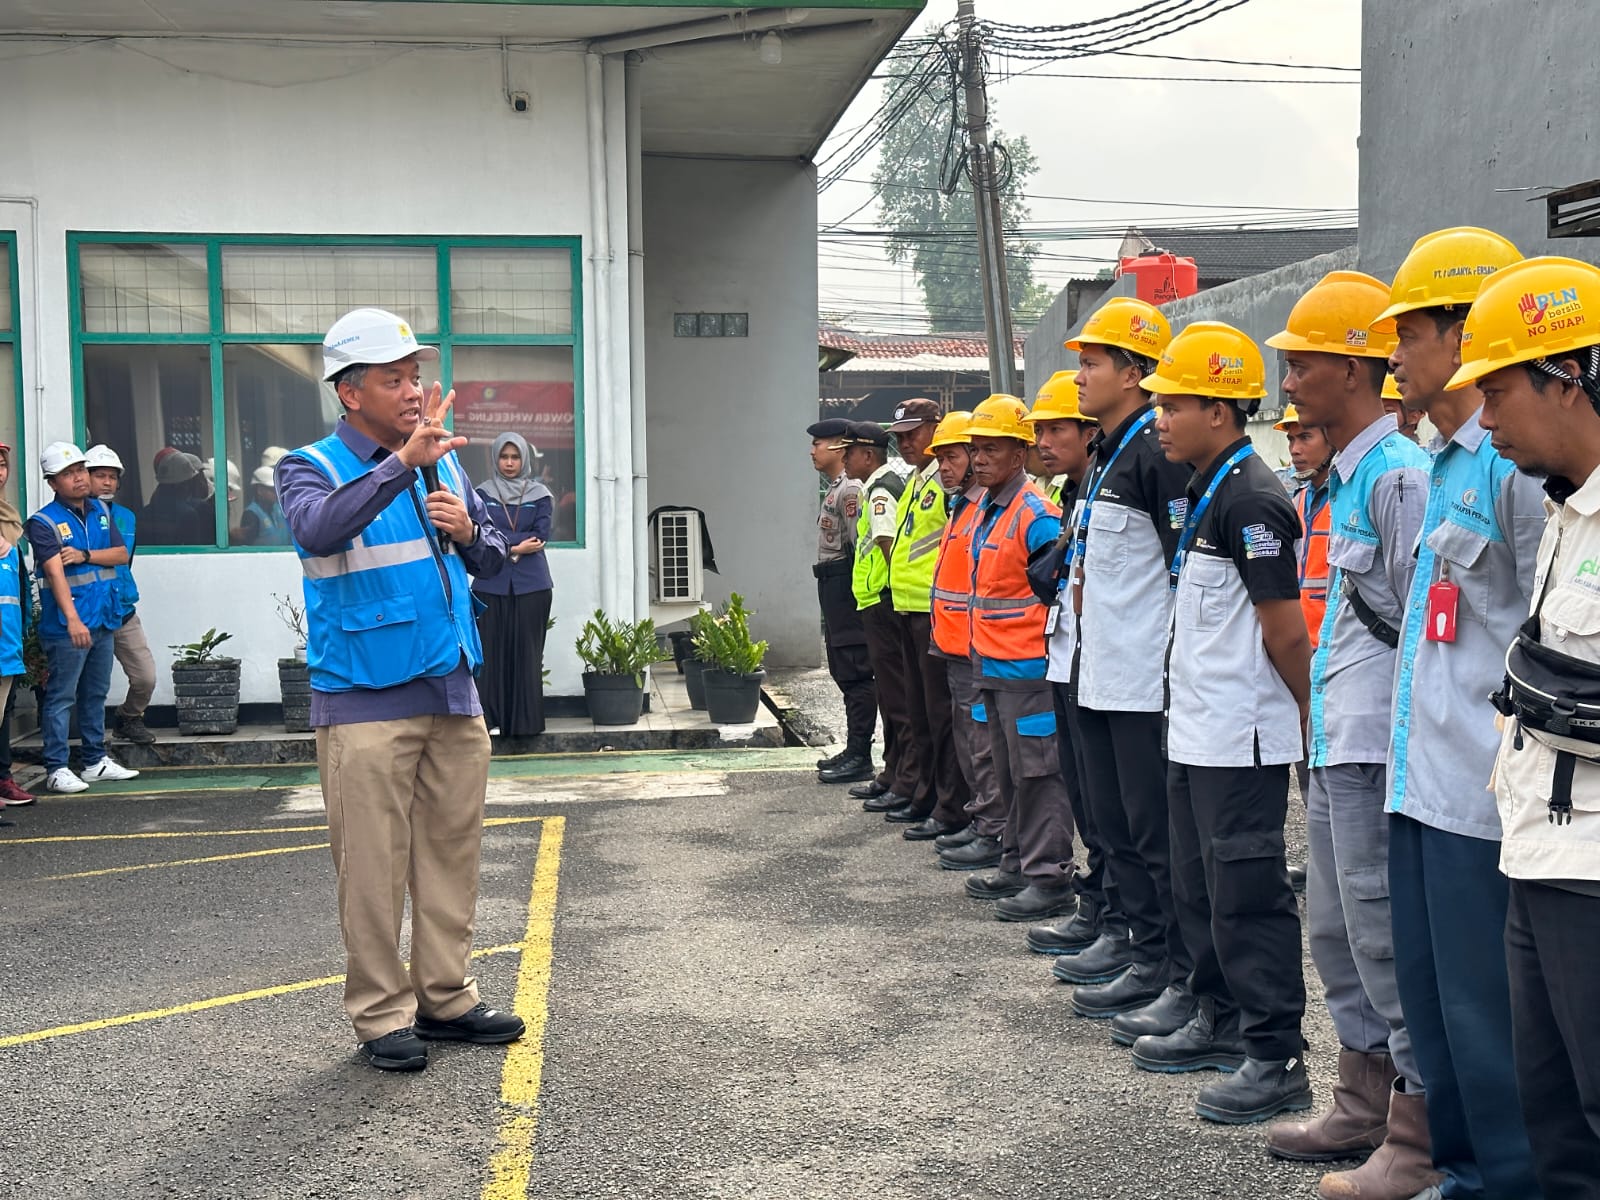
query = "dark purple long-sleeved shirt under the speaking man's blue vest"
x=324 y=519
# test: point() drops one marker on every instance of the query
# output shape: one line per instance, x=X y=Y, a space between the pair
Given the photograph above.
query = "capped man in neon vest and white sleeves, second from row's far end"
x=866 y=462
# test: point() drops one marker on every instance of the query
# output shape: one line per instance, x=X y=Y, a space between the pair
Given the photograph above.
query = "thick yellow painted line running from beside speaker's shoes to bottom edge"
x=513 y=1162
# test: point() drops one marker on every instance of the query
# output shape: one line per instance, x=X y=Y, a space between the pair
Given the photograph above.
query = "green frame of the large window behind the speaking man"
x=217 y=338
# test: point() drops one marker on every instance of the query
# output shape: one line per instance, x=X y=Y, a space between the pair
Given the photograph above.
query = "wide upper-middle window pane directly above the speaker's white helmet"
x=308 y=289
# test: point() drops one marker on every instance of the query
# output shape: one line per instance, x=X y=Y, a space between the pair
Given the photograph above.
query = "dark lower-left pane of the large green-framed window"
x=153 y=406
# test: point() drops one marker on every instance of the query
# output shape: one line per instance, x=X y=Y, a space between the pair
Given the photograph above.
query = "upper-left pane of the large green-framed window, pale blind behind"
x=145 y=289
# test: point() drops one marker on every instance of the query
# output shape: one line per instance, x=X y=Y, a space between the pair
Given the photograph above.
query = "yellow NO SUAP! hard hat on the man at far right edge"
x=1532 y=310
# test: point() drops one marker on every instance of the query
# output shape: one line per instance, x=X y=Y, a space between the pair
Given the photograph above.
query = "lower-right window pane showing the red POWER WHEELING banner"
x=522 y=390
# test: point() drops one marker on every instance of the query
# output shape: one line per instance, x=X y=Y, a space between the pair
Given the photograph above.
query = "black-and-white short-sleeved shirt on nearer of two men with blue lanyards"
x=1228 y=705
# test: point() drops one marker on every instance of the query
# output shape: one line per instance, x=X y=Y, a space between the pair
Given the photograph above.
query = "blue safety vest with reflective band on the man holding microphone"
x=388 y=607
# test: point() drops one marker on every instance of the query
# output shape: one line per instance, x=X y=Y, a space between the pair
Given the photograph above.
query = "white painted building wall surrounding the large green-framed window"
x=185 y=138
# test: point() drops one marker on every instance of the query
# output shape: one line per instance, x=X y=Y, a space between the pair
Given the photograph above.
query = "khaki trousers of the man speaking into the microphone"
x=406 y=812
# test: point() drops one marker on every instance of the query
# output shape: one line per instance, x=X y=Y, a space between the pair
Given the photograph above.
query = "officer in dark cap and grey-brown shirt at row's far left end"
x=842 y=631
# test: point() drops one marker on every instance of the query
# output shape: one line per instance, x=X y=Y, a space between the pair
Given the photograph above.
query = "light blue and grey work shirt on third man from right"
x=1377 y=495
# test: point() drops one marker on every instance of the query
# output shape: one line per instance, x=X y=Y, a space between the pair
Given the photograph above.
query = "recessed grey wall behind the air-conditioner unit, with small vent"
x=727 y=415
